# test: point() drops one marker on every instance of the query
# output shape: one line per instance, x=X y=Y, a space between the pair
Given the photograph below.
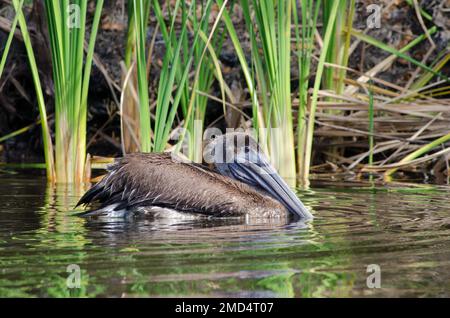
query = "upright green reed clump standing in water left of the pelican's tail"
x=71 y=74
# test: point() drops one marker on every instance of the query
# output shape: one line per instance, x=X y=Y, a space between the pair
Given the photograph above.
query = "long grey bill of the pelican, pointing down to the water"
x=252 y=167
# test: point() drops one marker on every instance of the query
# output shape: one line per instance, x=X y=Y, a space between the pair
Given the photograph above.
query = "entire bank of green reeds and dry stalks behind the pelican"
x=346 y=101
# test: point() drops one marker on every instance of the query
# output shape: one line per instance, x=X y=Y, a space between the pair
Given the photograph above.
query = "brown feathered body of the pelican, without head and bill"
x=156 y=179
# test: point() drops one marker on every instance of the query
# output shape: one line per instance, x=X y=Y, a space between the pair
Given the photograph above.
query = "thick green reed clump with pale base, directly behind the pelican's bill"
x=269 y=26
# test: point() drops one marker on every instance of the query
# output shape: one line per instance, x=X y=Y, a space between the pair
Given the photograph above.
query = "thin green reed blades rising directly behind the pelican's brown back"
x=184 y=49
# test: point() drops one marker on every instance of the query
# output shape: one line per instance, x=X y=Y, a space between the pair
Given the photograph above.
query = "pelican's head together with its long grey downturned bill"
x=239 y=156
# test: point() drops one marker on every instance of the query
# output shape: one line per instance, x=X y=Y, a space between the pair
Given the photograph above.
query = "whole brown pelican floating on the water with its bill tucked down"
x=242 y=183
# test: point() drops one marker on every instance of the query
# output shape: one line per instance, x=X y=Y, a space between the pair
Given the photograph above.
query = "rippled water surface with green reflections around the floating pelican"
x=405 y=231
